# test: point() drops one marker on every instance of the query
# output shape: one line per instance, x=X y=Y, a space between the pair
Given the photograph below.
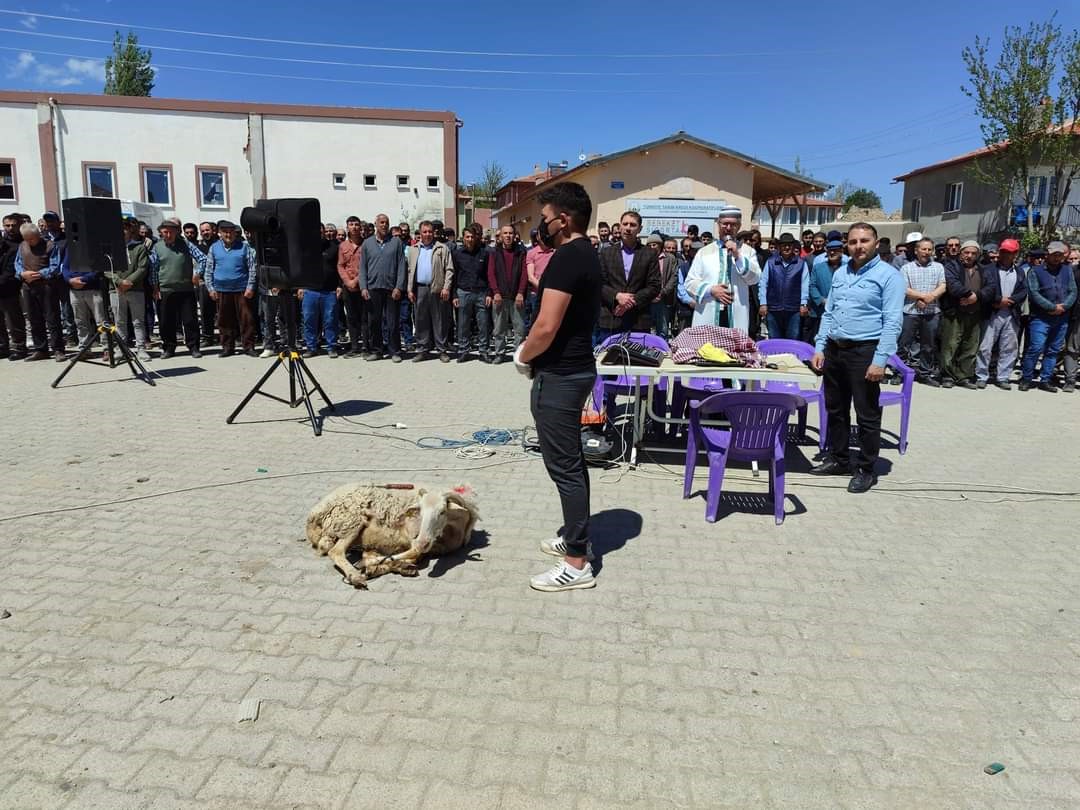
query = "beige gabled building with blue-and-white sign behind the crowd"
x=672 y=183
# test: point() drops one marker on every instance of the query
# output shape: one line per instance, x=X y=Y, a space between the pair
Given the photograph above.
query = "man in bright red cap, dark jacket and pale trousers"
x=1003 y=329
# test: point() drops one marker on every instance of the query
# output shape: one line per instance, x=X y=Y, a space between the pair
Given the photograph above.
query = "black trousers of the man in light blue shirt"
x=845 y=383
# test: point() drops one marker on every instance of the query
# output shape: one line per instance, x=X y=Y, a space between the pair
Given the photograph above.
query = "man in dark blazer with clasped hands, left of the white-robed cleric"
x=631 y=276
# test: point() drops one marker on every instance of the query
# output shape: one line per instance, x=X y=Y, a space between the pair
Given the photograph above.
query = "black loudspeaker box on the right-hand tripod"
x=288 y=241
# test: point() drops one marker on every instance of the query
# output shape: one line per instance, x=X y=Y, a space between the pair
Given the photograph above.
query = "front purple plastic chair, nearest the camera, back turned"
x=759 y=427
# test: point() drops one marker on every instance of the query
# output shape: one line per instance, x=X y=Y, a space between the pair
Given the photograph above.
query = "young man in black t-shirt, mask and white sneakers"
x=559 y=353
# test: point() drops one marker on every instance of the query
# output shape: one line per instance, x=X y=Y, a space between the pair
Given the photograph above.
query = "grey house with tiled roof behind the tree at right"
x=948 y=201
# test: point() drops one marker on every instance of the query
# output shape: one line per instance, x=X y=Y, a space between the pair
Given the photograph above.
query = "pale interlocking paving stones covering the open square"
x=874 y=652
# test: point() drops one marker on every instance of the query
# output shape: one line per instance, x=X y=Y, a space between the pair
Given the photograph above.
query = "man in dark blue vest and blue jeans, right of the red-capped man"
x=1051 y=292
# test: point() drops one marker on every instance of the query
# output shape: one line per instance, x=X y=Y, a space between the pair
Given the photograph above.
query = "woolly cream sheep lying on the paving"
x=395 y=526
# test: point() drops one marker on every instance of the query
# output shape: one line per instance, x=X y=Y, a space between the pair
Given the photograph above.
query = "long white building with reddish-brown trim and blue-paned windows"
x=209 y=160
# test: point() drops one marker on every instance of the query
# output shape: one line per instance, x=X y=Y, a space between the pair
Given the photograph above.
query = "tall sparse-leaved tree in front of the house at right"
x=1029 y=101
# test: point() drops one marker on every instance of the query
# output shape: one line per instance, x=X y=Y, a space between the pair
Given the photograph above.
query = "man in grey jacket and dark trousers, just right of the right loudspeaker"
x=382 y=283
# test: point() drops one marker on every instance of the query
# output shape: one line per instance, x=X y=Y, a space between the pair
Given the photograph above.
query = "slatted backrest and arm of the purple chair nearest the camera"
x=759 y=420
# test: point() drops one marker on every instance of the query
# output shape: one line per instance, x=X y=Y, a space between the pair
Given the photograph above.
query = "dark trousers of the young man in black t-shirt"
x=557 y=407
